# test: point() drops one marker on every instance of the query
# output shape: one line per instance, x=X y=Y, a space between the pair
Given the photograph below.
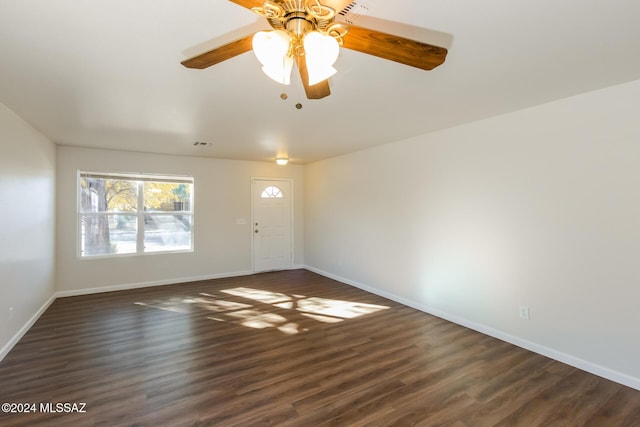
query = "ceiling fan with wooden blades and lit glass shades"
x=308 y=33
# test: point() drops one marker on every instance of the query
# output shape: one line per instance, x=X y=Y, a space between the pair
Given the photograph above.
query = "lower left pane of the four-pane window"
x=107 y=234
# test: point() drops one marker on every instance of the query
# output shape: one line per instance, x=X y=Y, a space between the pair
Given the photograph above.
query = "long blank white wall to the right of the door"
x=539 y=208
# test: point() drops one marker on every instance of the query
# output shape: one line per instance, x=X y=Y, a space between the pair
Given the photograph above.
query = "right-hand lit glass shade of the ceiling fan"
x=321 y=52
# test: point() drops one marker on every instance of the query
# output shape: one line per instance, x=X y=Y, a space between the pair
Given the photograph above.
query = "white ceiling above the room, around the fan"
x=107 y=73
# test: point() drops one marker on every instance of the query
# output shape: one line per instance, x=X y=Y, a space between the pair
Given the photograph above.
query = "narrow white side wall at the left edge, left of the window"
x=27 y=194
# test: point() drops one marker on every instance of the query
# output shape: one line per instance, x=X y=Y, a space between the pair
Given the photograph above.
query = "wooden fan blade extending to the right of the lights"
x=394 y=48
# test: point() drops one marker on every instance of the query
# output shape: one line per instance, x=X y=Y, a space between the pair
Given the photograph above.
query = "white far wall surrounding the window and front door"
x=222 y=195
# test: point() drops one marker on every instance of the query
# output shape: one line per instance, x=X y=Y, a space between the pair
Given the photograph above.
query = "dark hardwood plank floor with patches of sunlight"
x=286 y=348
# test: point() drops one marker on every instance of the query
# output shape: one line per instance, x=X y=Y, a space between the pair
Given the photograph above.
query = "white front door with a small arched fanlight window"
x=272 y=224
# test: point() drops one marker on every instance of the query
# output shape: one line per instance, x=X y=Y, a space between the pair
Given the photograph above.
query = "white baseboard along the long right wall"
x=551 y=353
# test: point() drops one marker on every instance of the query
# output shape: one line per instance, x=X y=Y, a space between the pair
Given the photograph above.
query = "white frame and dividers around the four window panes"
x=140 y=213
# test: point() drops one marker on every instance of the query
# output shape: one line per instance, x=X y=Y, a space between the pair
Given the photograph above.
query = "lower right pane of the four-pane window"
x=167 y=233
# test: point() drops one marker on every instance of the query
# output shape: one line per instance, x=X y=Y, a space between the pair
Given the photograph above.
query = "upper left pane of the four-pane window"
x=108 y=195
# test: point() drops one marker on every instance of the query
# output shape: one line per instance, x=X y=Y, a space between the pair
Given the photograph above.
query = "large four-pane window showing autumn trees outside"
x=134 y=214
